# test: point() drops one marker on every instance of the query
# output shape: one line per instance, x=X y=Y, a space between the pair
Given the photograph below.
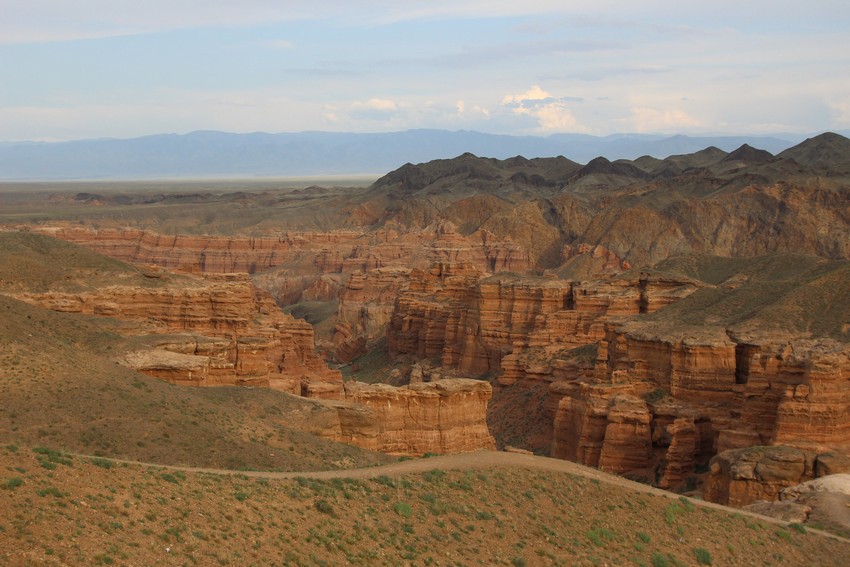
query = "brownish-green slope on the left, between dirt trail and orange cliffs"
x=60 y=389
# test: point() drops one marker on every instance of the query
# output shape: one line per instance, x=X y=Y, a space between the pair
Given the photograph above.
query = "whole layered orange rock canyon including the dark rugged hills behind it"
x=654 y=318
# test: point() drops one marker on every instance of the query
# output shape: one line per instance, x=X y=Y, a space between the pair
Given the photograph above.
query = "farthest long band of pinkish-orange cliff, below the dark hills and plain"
x=302 y=253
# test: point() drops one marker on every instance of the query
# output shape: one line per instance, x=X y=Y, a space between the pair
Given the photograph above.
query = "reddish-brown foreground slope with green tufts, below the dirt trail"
x=80 y=511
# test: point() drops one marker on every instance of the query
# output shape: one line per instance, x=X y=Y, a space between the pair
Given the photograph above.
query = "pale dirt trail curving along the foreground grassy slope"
x=480 y=460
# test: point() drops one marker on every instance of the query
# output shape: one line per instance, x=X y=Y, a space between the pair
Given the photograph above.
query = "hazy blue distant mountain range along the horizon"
x=220 y=154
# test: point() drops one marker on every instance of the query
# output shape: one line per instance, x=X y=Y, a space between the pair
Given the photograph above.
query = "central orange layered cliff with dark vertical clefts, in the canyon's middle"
x=475 y=324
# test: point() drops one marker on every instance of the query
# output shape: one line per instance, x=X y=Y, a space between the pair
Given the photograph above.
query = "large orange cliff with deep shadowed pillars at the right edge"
x=705 y=394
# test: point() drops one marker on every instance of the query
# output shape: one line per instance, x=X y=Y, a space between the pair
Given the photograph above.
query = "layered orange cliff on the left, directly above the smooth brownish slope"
x=211 y=331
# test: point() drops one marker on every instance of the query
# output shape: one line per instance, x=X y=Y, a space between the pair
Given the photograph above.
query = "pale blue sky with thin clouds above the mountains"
x=80 y=69
